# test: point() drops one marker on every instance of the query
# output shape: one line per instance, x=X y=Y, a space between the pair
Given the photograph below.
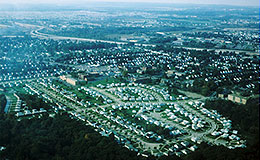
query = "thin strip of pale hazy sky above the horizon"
x=227 y=2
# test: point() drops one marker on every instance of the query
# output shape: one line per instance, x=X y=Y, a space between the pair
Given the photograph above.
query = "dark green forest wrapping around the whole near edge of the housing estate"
x=64 y=138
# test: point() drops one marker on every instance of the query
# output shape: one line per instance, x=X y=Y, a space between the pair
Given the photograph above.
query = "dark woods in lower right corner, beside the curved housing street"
x=245 y=118
